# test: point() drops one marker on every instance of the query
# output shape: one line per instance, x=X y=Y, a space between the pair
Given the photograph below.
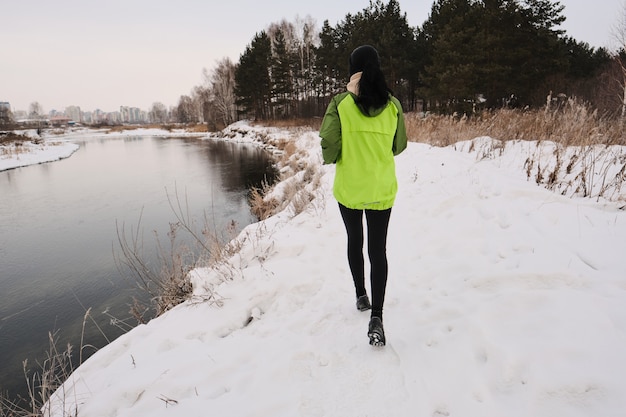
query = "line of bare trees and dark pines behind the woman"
x=468 y=55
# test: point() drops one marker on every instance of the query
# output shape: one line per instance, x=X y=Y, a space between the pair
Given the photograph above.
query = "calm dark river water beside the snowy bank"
x=59 y=227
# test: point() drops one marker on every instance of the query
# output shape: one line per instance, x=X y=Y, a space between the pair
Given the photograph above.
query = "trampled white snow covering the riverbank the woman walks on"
x=504 y=299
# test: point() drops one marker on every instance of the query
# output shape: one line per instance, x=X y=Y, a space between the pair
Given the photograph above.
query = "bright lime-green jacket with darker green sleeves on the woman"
x=363 y=147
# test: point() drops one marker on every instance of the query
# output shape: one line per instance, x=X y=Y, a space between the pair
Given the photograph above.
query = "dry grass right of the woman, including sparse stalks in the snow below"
x=573 y=150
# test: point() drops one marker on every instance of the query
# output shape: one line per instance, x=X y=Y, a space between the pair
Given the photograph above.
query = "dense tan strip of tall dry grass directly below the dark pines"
x=572 y=124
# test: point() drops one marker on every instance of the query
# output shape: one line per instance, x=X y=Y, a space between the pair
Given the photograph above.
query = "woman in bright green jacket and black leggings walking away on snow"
x=363 y=129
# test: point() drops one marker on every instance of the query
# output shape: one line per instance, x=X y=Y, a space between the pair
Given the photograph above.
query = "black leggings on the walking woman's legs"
x=377 y=225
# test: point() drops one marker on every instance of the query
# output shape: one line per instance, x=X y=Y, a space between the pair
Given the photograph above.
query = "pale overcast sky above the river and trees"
x=101 y=55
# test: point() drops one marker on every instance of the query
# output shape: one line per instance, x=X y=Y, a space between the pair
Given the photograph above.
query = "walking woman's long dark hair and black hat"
x=373 y=90
